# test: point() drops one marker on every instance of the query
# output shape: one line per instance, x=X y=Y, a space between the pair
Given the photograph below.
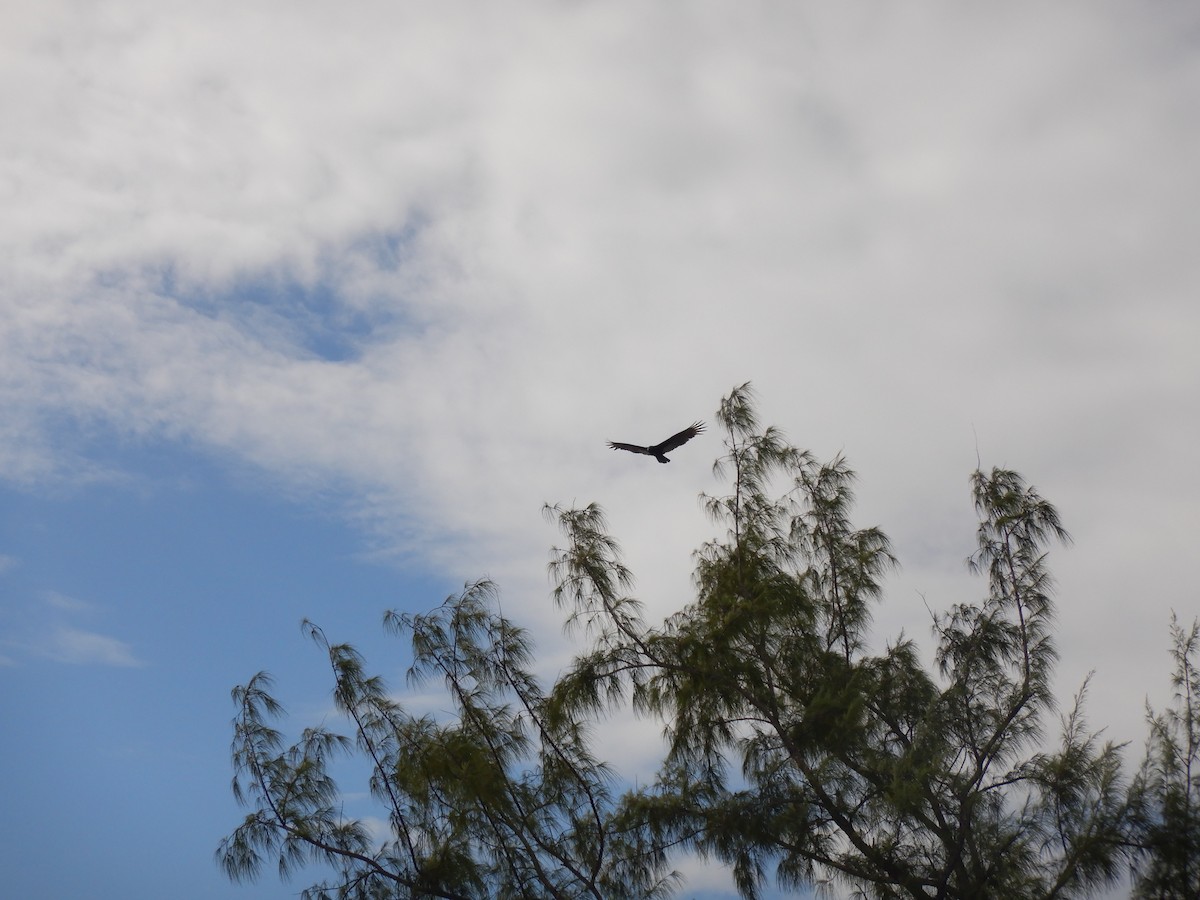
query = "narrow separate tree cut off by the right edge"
x=1167 y=790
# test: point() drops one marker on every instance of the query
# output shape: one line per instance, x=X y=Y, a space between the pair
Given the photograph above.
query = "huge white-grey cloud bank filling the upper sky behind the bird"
x=571 y=224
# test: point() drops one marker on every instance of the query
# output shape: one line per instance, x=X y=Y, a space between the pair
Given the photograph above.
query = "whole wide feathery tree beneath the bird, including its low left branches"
x=794 y=749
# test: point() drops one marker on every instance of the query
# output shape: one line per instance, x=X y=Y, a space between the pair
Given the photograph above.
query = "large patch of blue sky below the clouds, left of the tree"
x=119 y=747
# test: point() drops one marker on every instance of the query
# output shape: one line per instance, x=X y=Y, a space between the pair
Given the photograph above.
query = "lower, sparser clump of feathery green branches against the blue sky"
x=502 y=801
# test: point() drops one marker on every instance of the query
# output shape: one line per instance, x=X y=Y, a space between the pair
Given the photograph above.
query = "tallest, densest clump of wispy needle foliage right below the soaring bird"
x=797 y=753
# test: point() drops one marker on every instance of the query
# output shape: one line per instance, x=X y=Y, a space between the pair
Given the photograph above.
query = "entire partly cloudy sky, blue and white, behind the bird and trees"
x=307 y=309
